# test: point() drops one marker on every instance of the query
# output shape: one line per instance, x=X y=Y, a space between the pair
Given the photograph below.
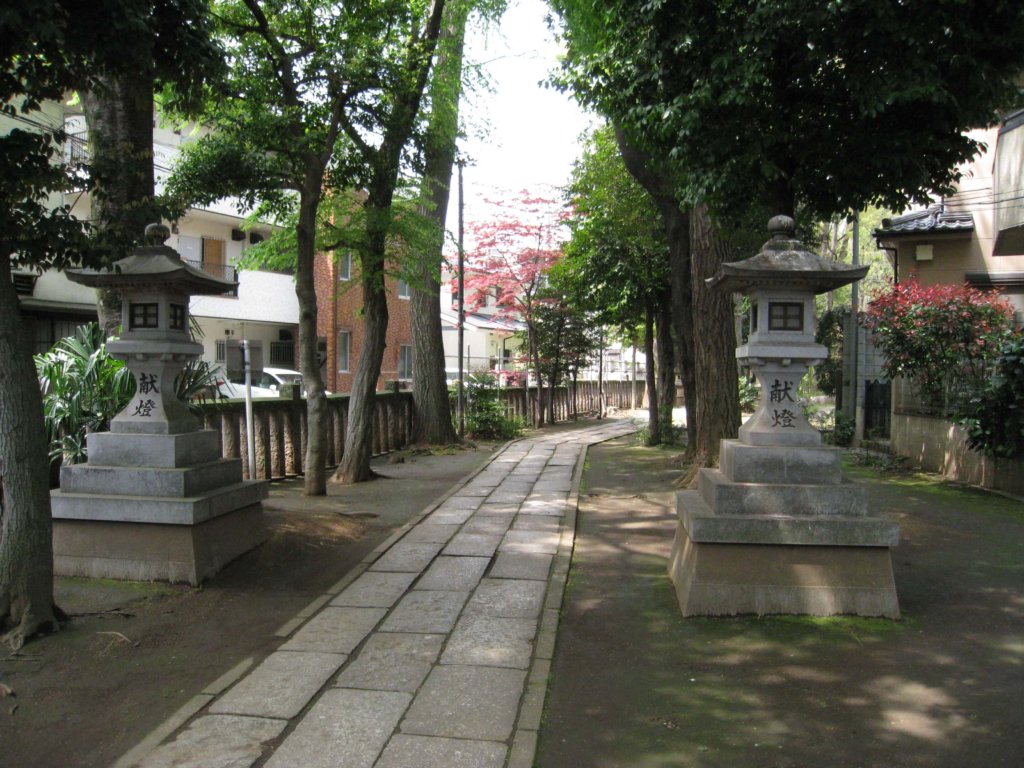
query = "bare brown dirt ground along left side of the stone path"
x=134 y=654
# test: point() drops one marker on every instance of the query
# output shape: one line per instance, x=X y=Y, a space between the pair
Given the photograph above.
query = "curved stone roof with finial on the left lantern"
x=153 y=267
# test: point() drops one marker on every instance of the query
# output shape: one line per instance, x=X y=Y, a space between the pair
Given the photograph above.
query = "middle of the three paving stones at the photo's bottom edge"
x=347 y=729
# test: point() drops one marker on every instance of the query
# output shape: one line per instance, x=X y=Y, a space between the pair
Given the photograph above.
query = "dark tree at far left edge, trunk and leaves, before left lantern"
x=48 y=48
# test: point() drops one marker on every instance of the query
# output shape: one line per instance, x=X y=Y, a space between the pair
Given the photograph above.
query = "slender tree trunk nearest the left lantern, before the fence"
x=306 y=292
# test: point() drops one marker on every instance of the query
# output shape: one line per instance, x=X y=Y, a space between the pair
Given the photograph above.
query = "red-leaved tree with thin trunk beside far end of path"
x=511 y=253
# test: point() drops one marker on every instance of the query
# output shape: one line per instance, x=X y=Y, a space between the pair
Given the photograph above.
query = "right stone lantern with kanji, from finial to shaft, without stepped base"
x=781 y=283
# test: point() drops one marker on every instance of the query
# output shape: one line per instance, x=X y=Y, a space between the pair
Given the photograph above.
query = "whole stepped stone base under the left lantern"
x=155 y=507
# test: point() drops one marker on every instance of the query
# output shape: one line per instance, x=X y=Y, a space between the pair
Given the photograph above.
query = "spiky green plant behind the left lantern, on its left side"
x=83 y=389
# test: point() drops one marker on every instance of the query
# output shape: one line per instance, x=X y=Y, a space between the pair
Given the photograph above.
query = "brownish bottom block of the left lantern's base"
x=147 y=551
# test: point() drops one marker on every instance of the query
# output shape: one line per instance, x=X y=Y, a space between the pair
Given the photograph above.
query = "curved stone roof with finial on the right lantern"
x=785 y=263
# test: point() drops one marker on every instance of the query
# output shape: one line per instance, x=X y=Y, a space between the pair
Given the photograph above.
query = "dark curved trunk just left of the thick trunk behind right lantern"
x=677 y=231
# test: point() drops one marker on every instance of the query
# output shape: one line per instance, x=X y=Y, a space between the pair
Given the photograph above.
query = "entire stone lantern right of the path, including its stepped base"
x=776 y=529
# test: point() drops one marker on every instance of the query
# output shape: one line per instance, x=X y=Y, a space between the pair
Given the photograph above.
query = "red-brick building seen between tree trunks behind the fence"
x=339 y=323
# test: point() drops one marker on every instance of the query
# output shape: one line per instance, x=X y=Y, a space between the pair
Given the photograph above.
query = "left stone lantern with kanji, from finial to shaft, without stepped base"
x=155 y=285
